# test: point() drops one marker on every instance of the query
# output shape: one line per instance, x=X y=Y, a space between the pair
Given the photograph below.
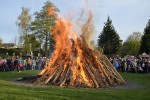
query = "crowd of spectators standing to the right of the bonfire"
x=140 y=65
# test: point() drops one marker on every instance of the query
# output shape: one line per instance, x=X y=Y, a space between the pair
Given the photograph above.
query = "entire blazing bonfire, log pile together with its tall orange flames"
x=74 y=63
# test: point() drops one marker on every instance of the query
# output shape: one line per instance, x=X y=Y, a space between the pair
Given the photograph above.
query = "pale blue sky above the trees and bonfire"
x=127 y=16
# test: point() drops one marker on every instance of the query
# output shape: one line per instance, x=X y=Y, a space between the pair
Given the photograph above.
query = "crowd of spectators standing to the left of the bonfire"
x=22 y=63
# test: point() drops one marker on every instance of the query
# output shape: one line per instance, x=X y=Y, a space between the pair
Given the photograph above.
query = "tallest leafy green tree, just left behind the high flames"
x=44 y=21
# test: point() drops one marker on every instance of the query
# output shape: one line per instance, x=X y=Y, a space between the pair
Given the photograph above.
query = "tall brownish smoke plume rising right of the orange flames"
x=85 y=22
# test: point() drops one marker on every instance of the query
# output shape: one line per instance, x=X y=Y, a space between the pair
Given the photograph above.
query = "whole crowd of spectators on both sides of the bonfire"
x=140 y=65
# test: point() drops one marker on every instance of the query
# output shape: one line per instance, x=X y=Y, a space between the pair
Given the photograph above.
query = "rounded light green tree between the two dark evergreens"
x=132 y=44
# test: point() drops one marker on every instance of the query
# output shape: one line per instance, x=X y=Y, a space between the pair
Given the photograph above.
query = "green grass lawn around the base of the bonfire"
x=14 y=91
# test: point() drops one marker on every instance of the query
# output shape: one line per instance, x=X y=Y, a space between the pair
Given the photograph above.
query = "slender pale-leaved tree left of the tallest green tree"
x=24 y=20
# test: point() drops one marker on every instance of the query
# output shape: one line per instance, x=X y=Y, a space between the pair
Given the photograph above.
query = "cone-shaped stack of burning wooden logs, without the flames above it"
x=81 y=67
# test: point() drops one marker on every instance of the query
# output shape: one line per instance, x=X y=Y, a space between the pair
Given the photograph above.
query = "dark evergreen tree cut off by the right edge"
x=145 y=42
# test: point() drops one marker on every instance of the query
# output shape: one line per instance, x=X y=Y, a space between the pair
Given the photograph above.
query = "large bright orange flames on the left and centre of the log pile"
x=61 y=31
